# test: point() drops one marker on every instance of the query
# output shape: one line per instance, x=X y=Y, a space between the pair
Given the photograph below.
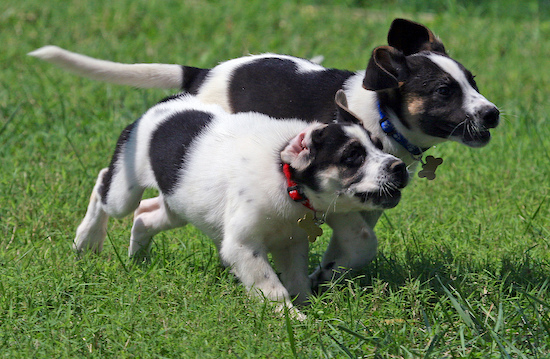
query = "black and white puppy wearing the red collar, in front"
x=229 y=175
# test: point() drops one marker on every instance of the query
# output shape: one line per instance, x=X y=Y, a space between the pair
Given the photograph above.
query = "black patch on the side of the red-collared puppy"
x=169 y=145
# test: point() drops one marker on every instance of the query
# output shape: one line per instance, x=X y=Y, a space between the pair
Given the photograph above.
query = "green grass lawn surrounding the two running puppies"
x=464 y=262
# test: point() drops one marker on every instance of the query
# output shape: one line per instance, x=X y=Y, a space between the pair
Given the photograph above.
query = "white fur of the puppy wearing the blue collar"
x=354 y=243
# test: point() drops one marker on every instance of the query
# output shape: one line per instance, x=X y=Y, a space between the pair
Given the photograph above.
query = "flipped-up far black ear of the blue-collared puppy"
x=411 y=37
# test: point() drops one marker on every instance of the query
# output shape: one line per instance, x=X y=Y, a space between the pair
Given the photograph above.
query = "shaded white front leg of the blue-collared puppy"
x=352 y=246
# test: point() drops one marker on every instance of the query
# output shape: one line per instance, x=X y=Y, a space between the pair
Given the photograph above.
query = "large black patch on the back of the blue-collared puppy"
x=275 y=87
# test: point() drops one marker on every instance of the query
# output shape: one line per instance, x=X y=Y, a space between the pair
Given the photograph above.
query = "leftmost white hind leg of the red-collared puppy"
x=91 y=232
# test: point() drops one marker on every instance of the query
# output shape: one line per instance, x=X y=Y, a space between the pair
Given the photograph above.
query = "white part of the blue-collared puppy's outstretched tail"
x=137 y=75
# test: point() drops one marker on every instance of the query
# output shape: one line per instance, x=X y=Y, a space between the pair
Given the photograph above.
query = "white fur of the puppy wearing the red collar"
x=232 y=188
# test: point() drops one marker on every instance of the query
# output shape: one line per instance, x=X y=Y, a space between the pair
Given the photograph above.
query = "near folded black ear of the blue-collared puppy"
x=387 y=69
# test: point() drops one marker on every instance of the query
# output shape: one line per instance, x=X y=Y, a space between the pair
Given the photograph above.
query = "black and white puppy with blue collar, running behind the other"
x=428 y=96
